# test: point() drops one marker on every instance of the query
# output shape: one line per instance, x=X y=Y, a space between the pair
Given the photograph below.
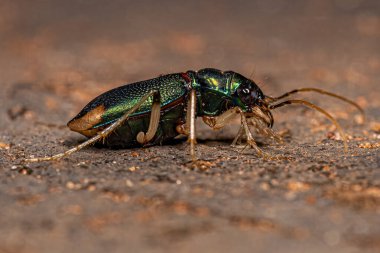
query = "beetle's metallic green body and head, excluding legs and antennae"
x=216 y=92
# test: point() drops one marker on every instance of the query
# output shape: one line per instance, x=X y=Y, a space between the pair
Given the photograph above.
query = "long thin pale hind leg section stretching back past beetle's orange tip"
x=103 y=134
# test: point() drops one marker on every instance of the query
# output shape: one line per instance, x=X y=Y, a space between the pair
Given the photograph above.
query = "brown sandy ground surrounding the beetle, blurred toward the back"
x=56 y=56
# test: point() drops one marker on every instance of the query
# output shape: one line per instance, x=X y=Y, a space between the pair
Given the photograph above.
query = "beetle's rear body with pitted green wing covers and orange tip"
x=111 y=105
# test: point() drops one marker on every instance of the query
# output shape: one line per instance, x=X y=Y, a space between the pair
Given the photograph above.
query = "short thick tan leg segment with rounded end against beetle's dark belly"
x=142 y=137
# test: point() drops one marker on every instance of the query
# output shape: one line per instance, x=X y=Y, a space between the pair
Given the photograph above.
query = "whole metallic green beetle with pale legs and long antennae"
x=155 y=111
